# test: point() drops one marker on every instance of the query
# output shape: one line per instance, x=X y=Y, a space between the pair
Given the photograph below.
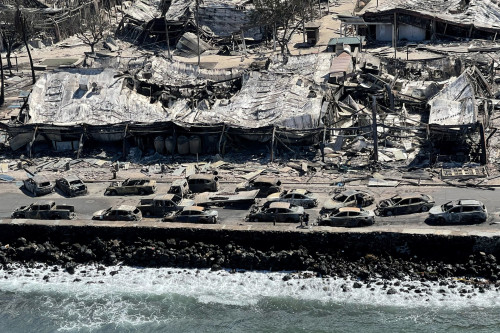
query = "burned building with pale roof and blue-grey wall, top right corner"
x=430 y=19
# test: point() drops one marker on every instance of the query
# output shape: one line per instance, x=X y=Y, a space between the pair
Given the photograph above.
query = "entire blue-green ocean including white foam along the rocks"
x=125 y=299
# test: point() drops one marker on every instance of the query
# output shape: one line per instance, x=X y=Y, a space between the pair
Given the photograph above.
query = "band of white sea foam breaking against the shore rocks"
x=223 y=287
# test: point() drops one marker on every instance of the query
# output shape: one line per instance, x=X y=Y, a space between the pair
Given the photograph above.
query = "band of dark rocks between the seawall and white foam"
x=480 y=270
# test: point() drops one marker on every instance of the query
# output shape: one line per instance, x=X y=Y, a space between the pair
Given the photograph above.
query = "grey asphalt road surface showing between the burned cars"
x=13 y=196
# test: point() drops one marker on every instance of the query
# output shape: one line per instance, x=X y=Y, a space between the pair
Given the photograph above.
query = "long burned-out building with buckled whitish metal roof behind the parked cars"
x=171 y=108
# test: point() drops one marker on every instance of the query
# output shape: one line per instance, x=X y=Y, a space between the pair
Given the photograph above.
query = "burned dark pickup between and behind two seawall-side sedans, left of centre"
x=163 y=204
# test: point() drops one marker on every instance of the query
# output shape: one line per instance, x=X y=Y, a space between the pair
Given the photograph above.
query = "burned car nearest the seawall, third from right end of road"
x=347 y=217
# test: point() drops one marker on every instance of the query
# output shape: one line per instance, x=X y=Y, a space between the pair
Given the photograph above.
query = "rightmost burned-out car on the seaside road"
x=459 y=212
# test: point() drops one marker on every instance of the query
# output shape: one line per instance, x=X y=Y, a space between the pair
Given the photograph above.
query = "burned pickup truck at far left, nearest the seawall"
x=45 y=211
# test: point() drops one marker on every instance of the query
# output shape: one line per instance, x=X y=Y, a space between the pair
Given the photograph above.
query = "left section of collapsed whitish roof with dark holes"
x=90 y=96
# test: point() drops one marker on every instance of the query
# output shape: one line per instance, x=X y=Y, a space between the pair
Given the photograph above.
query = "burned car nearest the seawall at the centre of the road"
x=278 y=212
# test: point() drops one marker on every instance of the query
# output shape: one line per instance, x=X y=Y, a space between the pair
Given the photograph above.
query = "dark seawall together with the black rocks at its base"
x=350 y=253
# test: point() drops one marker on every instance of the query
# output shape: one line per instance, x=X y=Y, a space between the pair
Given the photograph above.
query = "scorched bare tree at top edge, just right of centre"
x=285 y=15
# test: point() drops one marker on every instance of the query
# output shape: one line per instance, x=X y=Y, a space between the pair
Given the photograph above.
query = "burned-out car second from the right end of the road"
x=407 y=204
